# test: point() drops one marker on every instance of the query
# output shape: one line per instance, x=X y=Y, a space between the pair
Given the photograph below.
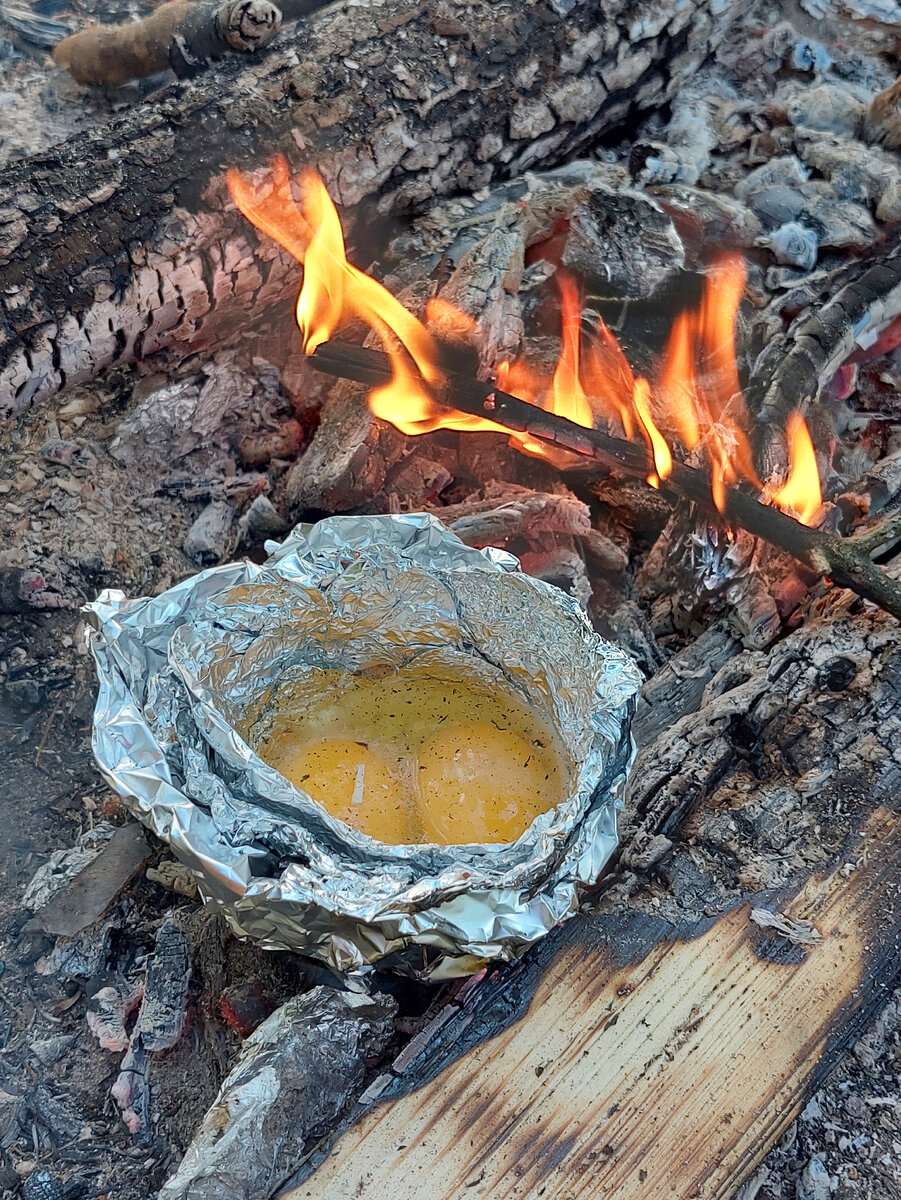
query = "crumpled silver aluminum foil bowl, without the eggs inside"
x=179 y=673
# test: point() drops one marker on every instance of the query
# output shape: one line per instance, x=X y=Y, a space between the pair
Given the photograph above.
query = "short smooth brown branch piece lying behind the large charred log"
x=181 y=35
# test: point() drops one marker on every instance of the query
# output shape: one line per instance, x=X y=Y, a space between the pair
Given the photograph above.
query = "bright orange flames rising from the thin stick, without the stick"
x=695 y=400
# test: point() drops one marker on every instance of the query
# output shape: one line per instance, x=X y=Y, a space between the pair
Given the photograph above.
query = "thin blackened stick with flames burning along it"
x=845 y=561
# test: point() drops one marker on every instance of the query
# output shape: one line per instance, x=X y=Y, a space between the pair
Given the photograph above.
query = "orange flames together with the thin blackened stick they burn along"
x=695 y=400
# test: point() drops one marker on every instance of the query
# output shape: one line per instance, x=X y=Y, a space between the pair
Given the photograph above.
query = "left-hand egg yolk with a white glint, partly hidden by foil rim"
x=355 y=784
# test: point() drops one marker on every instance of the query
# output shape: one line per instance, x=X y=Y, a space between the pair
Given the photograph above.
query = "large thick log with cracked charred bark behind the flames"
x=123 y=241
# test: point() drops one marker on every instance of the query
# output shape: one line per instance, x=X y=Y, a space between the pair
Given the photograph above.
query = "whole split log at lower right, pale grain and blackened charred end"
x=660 y=1045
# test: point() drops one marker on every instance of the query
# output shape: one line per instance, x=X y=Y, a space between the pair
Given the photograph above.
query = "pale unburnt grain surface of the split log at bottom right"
x=668 y=1077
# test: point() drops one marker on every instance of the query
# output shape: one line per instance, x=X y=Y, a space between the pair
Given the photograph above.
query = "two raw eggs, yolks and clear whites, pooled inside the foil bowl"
x=411 y=758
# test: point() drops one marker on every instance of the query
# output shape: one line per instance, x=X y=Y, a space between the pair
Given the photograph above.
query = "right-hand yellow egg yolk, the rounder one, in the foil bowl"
x=480 y=784
